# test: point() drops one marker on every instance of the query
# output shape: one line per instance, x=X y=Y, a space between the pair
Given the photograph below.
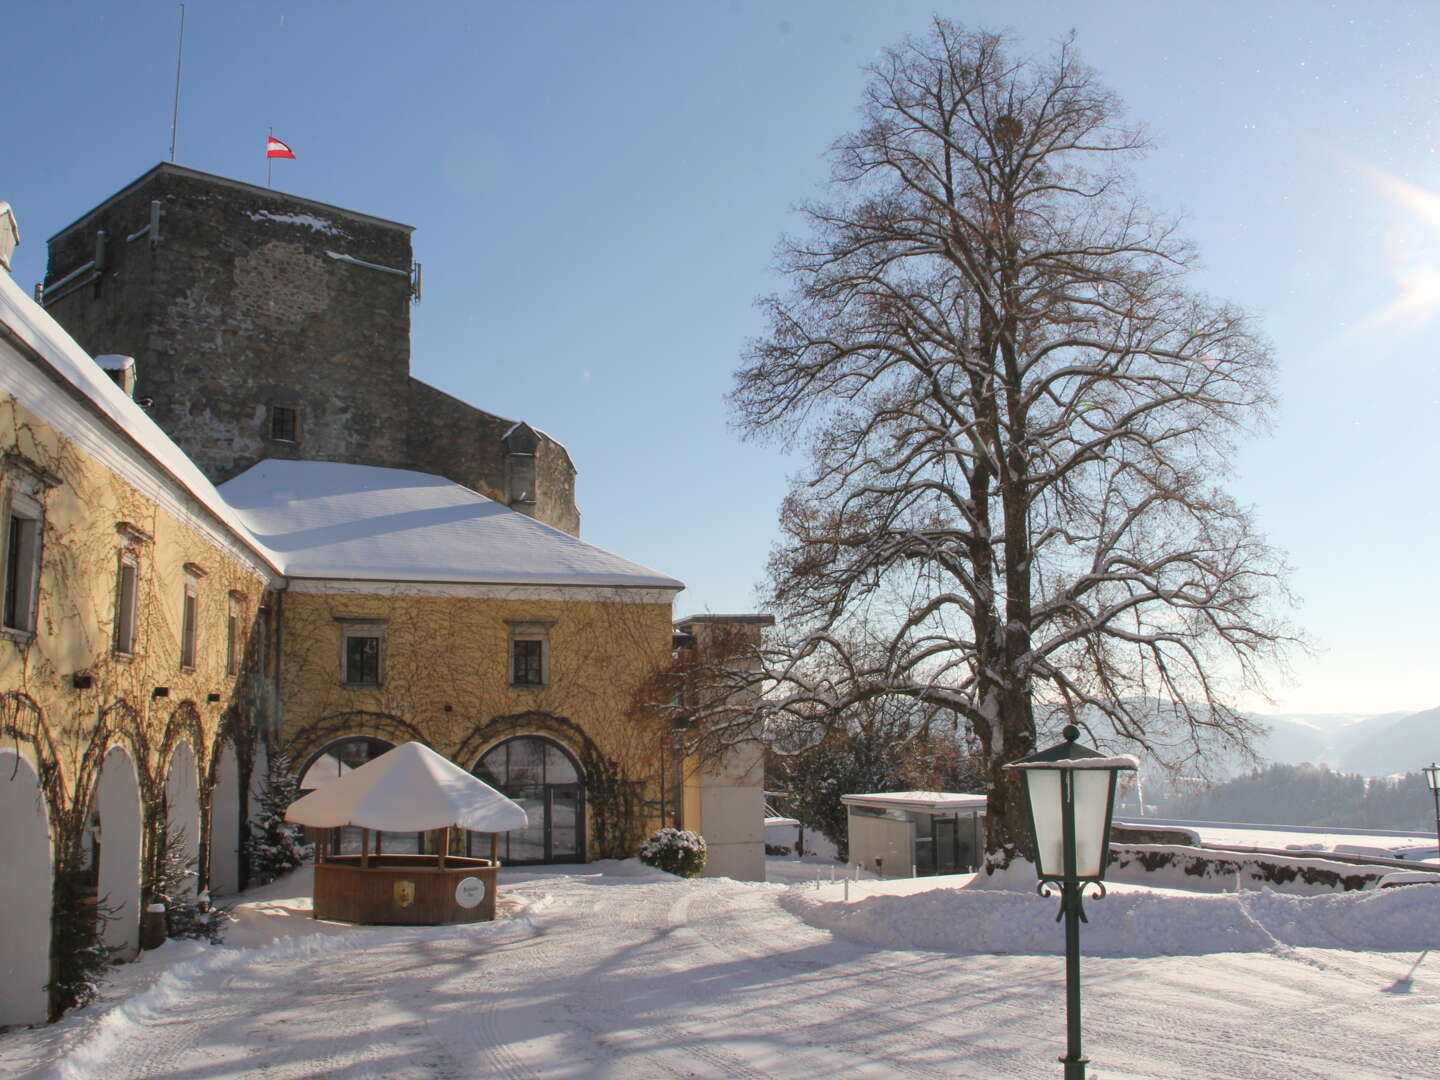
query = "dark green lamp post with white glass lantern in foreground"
x=1069 y=798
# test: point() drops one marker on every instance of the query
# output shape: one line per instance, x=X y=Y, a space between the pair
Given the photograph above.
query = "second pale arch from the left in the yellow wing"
x=116 y=849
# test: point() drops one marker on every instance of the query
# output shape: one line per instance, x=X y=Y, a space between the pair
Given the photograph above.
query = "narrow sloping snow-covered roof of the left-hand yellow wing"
x=42 y=335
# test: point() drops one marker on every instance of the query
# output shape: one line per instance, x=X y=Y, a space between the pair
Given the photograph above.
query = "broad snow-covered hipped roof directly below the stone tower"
x=330 y=521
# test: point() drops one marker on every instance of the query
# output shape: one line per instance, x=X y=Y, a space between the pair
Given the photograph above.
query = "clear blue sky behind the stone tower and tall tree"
x=598 y=189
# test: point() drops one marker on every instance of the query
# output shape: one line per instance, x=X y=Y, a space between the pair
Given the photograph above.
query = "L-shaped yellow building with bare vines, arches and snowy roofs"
x=163 y=639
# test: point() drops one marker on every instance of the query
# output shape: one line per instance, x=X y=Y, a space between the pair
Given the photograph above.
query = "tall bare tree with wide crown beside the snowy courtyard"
x=1016 y=417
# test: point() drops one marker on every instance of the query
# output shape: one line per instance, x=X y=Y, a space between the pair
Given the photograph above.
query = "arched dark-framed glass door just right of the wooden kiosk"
x=542 y=777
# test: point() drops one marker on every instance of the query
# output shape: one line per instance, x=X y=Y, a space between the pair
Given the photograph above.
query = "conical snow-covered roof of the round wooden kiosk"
x=408 y=790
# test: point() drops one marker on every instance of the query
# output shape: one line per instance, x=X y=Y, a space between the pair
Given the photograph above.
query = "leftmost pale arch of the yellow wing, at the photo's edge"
x=25 y=894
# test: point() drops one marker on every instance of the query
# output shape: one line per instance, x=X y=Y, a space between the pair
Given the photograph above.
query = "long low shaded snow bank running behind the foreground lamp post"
x=1133 y=924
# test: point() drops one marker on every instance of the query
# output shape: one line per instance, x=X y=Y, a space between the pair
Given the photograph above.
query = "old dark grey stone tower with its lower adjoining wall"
x=269 y=326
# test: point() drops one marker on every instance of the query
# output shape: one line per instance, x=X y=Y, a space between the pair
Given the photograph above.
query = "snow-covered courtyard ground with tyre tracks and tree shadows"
x=617 y=971
